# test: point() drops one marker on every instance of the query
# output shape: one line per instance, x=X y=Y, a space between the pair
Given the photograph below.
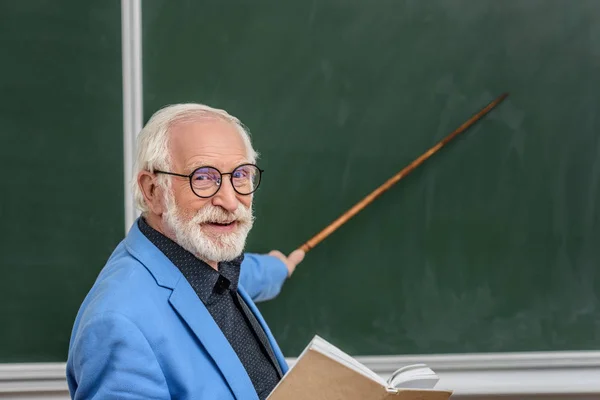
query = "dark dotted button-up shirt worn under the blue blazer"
x=218 y=291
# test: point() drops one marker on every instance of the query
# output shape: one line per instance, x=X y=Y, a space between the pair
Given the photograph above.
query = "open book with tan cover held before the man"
x=324 y=372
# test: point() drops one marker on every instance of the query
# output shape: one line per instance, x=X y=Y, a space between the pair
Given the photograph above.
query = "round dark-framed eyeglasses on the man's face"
x=206 y=181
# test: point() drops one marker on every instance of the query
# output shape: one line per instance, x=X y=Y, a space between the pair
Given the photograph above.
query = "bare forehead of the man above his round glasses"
x=206 y=140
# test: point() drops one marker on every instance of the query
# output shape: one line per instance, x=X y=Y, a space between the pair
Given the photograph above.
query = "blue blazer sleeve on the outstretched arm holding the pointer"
x=262 y=276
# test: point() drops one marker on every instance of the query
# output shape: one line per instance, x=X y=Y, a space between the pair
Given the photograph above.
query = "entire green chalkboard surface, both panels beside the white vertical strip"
x=491 y=245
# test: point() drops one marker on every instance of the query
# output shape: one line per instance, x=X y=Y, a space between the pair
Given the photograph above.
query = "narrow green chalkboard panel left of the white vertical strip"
x=61 y=157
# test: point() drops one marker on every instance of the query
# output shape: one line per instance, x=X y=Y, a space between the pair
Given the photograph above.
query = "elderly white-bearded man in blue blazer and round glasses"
x=172 y=313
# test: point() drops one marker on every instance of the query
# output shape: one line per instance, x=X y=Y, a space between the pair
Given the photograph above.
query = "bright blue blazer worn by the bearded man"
x=143 y=333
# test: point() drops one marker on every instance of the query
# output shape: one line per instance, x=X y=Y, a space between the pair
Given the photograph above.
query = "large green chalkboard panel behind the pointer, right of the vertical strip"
x=493 y=244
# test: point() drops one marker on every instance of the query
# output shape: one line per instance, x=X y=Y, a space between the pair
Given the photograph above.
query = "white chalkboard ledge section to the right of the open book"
x=543 y=373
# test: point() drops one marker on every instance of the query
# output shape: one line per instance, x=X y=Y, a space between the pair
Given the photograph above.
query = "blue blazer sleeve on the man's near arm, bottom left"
x=111 y=359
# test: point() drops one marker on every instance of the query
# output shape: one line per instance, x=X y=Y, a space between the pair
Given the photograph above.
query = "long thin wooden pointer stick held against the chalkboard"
x=394 y=179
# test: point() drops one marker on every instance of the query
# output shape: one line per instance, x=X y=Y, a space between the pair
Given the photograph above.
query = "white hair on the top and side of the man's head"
x=153 y=141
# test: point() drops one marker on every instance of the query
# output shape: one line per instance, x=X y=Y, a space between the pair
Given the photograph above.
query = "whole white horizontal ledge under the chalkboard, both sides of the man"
x=508 y=374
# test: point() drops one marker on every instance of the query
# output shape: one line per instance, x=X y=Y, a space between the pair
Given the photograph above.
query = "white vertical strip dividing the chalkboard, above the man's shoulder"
x=131 y=41
